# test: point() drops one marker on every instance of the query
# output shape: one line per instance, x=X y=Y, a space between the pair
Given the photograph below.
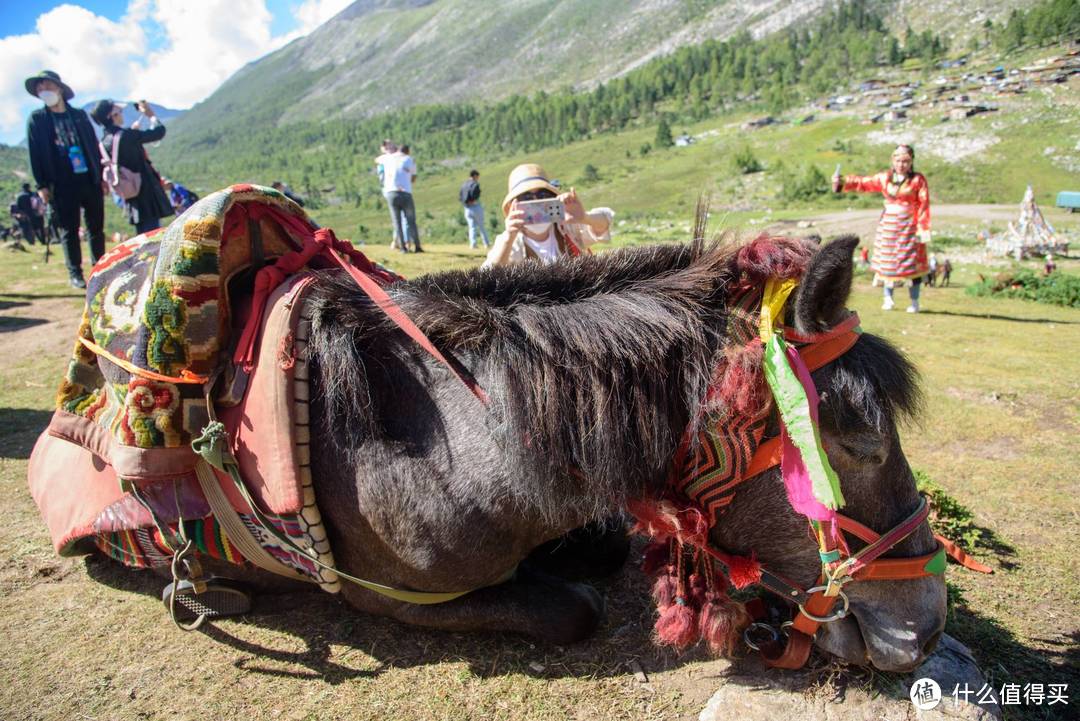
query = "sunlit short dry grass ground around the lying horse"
x=86 y=641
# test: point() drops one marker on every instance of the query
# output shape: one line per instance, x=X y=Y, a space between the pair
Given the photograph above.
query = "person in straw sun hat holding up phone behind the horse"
x=549 y=241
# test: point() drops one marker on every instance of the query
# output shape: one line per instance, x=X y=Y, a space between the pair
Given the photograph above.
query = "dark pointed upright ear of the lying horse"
x=825 y=289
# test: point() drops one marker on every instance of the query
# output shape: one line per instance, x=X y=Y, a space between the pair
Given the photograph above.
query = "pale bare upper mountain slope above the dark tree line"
x=379 y=56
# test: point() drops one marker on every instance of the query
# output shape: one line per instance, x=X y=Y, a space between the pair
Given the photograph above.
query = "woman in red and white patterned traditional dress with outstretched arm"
x=900 y=250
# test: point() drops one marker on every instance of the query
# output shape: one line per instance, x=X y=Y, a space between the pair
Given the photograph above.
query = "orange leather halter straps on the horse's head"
x=840 y=567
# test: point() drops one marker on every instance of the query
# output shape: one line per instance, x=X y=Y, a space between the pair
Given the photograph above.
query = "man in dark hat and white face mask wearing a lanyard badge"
x=67 y=169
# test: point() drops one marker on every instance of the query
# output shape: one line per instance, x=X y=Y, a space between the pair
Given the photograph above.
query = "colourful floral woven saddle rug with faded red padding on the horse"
x=116 y=470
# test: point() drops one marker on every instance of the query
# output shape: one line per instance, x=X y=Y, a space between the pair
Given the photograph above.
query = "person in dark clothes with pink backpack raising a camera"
x=146 y=210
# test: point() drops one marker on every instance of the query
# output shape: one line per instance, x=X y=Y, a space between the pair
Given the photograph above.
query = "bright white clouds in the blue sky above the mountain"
x=201 y=44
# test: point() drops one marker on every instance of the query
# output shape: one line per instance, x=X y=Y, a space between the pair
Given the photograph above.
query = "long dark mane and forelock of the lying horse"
x=596 y=364
